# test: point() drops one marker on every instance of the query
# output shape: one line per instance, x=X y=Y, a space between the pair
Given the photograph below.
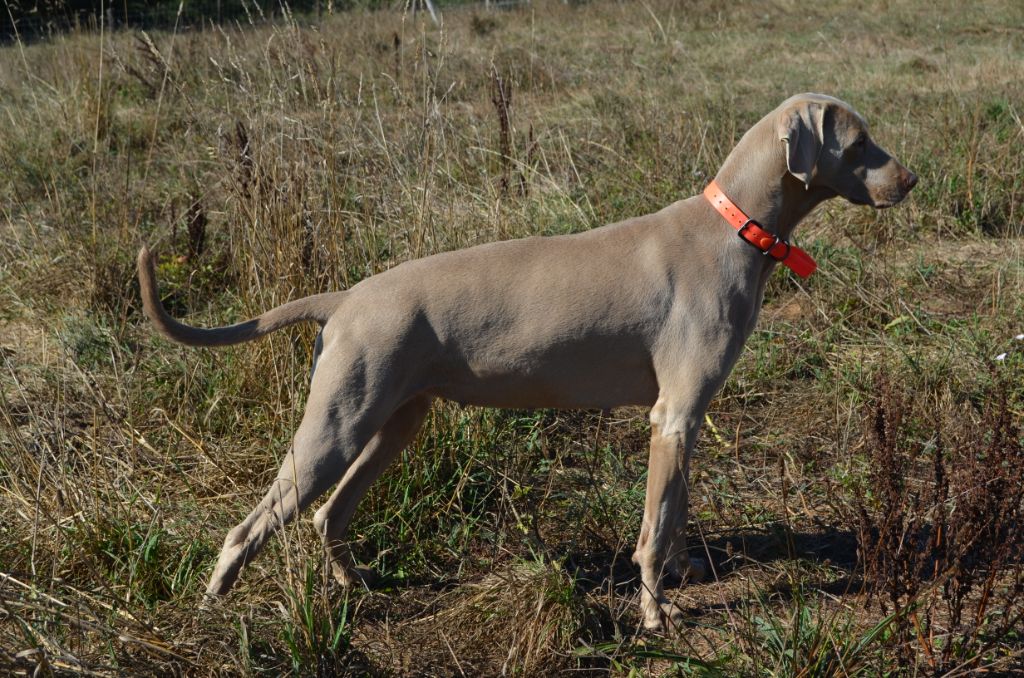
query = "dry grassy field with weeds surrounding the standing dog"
x=269 y=162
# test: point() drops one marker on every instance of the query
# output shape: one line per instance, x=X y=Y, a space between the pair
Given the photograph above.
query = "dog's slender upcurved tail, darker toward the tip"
x=318 y=308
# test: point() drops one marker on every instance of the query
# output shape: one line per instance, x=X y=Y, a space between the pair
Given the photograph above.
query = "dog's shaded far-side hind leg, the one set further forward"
x=333 y=519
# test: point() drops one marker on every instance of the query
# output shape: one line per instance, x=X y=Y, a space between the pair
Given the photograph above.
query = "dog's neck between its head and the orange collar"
x=755 y=177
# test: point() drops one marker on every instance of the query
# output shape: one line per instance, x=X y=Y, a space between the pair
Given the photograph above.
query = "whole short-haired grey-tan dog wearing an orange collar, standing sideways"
x=653 y=311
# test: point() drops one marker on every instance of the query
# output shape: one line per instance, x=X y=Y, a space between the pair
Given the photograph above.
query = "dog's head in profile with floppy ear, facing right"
x=827 y=147
